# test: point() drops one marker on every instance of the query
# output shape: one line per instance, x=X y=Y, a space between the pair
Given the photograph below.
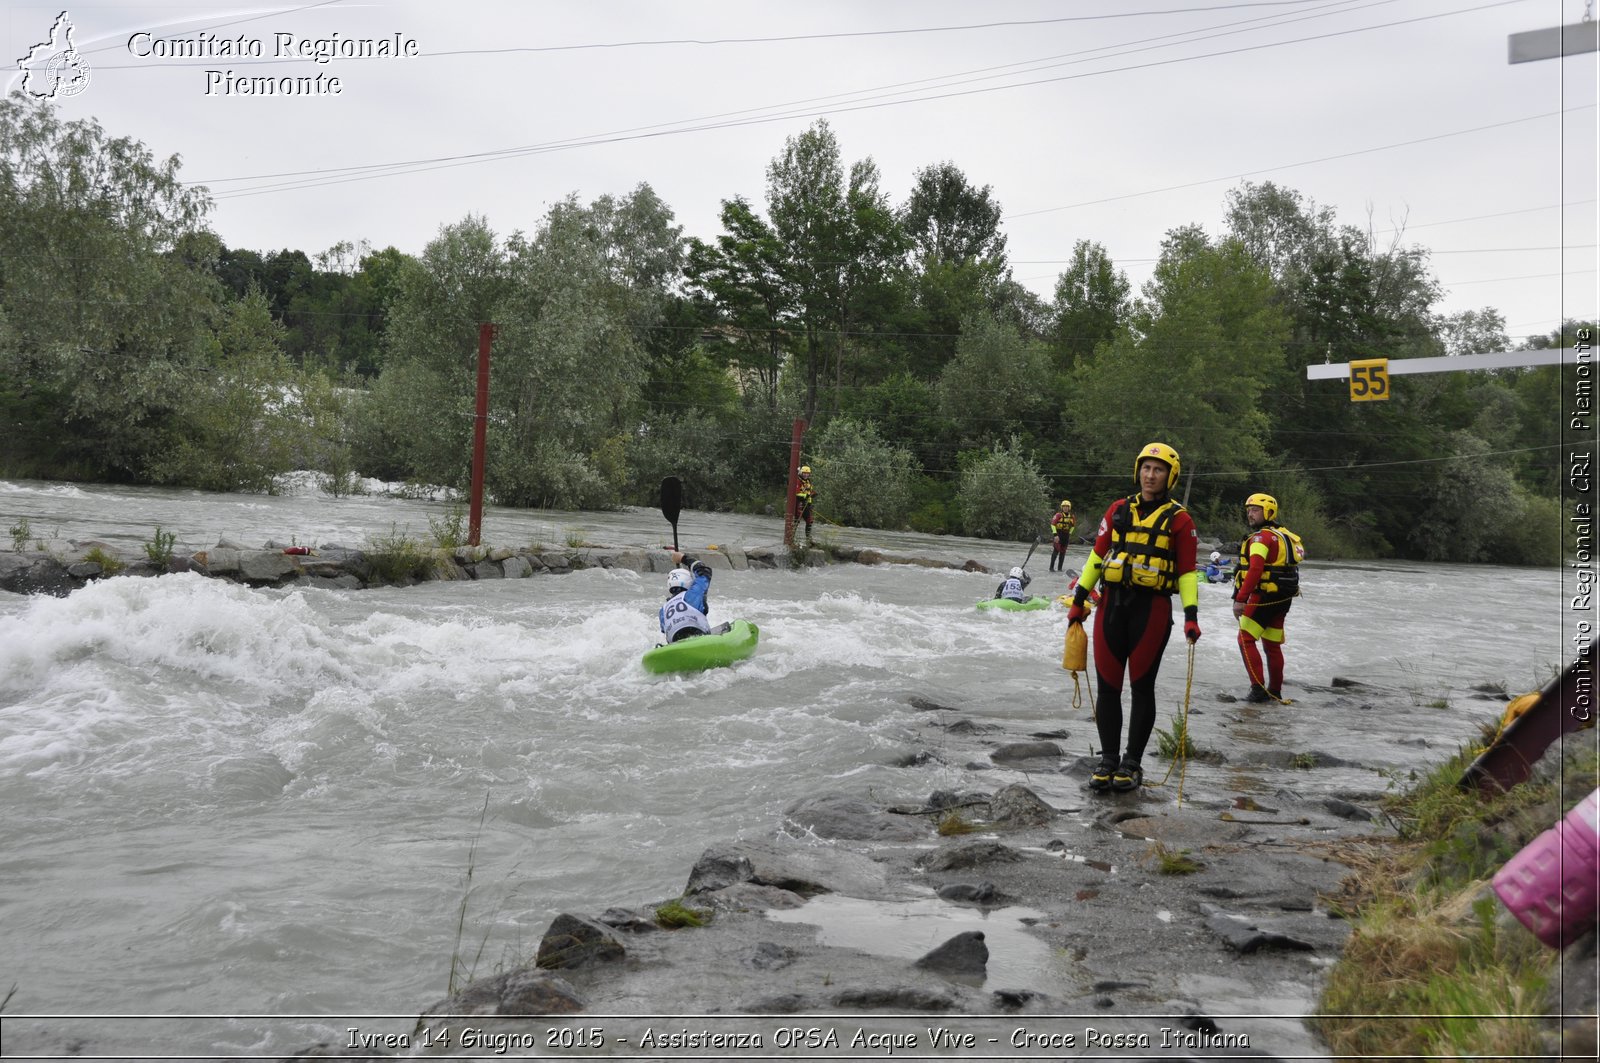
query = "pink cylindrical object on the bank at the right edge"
x=1551 y=886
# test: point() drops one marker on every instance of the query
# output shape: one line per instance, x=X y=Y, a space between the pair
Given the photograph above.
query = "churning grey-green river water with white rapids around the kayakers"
x=252 y=806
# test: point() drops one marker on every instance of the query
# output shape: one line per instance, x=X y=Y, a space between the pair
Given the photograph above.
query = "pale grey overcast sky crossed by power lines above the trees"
x=1111 y=121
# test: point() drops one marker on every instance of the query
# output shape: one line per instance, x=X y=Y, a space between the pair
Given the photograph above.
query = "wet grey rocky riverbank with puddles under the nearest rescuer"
x=1025 y=920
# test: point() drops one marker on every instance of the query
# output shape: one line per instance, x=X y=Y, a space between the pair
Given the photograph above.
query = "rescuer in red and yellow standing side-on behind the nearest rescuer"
x=1266 y=582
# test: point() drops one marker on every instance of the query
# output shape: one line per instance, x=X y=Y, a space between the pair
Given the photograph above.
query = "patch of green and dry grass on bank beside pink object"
x=1431 y=968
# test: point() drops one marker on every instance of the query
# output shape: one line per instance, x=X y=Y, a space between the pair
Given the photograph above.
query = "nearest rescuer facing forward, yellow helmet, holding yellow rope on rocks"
x=1145 y=553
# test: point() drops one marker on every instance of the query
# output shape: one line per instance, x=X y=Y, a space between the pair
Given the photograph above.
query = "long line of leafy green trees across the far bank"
x=942 y=395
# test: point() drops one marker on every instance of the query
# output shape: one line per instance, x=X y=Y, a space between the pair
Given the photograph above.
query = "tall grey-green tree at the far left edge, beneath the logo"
x=108 y=310
